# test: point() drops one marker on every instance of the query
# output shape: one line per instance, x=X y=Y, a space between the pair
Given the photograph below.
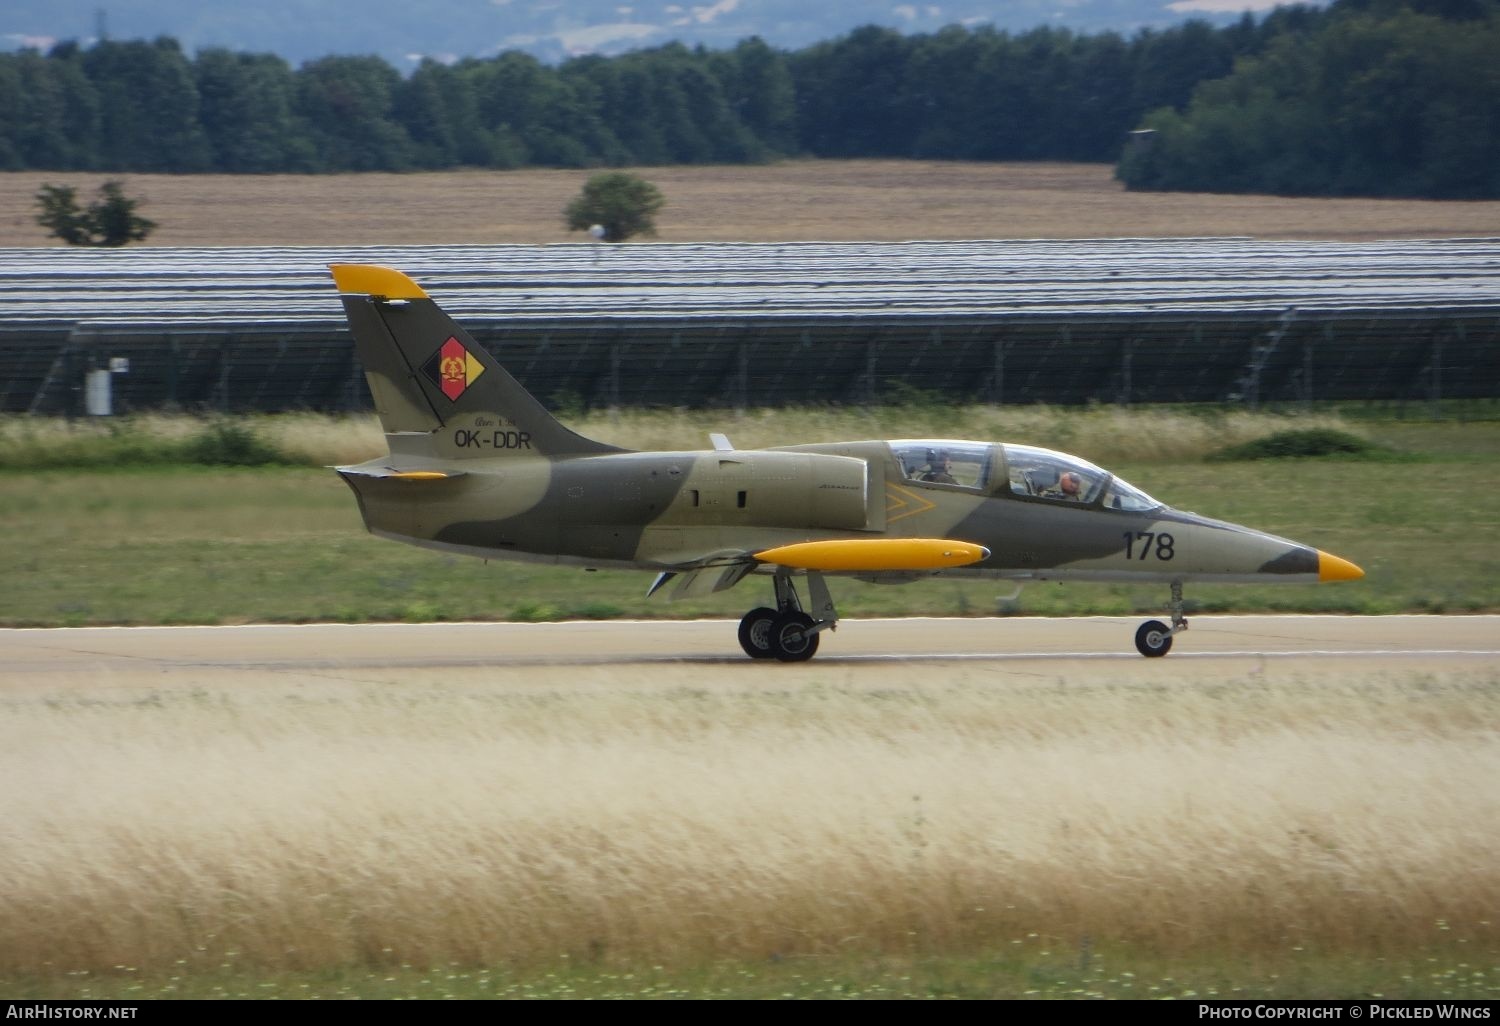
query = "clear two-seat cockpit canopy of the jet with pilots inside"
x=1024 y=470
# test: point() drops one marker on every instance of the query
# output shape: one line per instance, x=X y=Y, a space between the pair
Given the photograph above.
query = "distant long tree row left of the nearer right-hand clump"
x=980 y=94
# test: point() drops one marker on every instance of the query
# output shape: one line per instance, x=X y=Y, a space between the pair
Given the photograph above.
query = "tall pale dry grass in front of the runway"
x=623 y=817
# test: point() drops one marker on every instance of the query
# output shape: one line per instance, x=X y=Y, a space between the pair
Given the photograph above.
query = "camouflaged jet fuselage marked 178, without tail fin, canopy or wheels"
x=694 y=509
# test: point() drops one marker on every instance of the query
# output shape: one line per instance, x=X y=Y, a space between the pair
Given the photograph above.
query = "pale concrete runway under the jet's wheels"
x=679 y=653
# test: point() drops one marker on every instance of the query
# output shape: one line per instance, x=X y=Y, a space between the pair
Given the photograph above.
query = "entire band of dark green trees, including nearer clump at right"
x=1243 y=107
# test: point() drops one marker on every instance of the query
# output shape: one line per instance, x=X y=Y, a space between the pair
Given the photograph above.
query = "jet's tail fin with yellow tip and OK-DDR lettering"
x=431 y=379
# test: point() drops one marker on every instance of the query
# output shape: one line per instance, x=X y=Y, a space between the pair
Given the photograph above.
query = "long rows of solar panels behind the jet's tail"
x=1184 y=320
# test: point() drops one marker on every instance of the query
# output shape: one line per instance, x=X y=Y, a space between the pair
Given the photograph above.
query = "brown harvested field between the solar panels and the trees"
x=796 y=200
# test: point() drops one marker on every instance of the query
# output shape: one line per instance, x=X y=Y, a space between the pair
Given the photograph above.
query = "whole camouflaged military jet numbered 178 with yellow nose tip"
x=479 y=467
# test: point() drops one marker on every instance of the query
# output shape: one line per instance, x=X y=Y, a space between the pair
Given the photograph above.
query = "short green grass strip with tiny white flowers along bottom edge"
x=1036 y=968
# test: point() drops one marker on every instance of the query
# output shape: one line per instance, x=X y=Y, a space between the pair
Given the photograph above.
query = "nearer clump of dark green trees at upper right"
x=1388 y=100
